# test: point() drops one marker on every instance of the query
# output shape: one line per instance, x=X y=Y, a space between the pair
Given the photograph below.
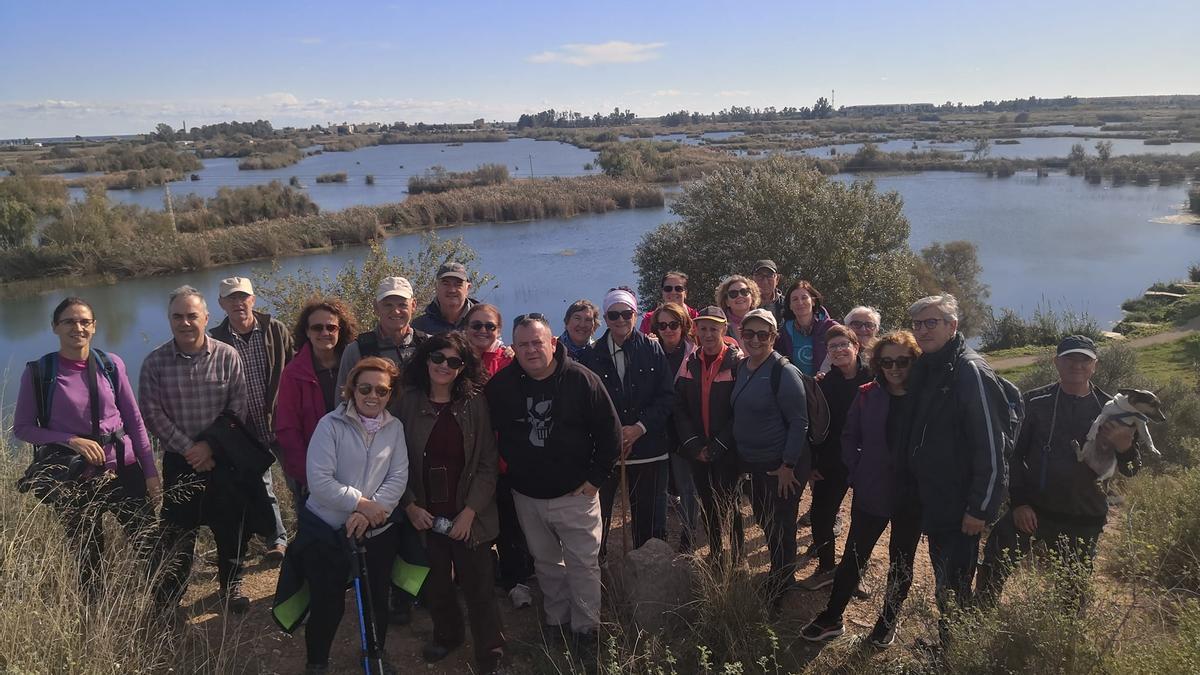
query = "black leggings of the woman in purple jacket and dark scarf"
x=865 y=531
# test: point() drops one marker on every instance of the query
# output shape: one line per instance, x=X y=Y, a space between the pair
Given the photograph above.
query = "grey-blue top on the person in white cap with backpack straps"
x=771 y=429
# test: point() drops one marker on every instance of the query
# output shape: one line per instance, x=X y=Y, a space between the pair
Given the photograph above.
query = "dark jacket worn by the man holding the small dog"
x=1046 y=474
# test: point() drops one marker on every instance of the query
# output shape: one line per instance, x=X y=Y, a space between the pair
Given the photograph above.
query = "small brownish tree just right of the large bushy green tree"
x=955 y=268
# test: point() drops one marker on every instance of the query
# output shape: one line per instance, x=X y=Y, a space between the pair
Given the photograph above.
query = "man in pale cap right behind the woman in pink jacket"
x=394 y=338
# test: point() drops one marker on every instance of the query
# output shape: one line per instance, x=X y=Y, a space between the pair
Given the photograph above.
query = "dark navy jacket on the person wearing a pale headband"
x=646 y=393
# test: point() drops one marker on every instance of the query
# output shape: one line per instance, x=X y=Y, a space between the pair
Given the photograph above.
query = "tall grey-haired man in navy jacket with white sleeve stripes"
x=956 y=446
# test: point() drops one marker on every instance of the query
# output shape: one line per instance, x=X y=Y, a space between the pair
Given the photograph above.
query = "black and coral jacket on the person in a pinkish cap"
x=687 y=409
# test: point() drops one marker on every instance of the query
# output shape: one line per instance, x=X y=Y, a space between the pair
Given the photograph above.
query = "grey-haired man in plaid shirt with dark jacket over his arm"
x=184 y=386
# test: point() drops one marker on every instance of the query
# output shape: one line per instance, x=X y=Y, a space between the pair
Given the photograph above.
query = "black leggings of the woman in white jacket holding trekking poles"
x=327 y=587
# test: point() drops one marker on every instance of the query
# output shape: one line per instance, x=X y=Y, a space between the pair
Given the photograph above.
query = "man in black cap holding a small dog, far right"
x=1054 y=498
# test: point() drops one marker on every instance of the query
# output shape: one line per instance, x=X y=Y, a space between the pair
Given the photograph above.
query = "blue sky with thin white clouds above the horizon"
x=122 y=67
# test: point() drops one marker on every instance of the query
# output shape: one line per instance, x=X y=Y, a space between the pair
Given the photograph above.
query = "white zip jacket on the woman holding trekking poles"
x=341 y=468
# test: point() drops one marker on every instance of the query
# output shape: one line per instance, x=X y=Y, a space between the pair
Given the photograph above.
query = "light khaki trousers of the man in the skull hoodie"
x=565 y=540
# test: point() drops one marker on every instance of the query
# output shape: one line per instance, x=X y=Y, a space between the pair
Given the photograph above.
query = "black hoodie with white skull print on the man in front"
x=585 y=432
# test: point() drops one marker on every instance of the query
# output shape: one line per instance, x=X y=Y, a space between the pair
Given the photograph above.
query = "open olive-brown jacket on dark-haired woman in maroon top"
x=477 y=485
